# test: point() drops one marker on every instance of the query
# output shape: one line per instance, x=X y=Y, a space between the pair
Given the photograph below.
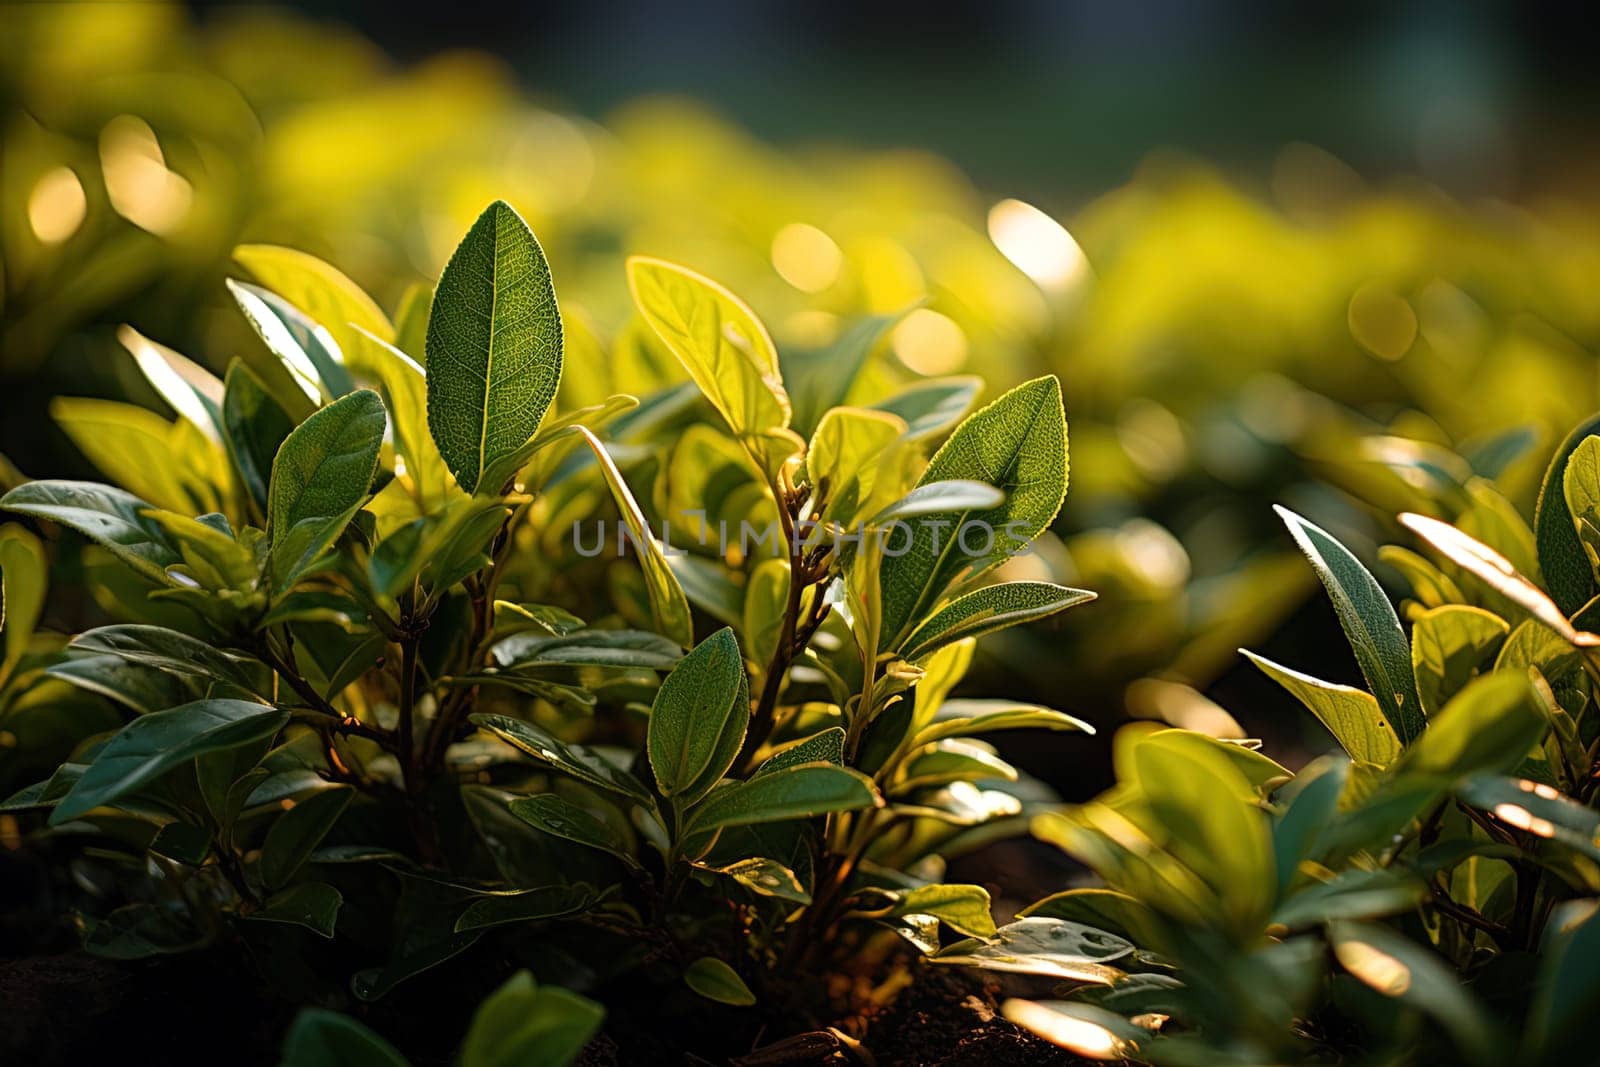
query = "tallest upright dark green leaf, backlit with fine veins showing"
x=494 y=346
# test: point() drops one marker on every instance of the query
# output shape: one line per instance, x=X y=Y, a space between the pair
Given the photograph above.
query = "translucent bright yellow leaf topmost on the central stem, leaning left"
x=726 y=350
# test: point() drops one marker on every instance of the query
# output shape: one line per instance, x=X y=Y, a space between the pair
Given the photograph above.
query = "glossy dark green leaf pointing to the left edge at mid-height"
x=110 y=518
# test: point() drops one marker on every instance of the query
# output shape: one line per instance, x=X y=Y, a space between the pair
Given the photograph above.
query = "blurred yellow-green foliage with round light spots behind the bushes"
x=1230 y=334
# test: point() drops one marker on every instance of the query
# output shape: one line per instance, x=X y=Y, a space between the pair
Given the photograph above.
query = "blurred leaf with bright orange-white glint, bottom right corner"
x=1396 y=967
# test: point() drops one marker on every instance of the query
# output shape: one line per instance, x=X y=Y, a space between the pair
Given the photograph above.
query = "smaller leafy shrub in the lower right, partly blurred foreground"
x=1444 y=869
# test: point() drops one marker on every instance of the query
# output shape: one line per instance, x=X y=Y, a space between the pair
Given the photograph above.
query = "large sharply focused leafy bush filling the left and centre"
x=345 y=721
